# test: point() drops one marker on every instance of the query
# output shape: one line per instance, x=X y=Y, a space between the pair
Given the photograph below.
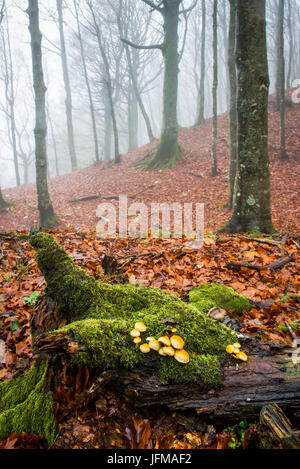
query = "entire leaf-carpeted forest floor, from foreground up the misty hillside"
x=166 y=263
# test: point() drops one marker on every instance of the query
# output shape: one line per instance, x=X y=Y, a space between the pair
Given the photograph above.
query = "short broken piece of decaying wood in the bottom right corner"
x=279 y=427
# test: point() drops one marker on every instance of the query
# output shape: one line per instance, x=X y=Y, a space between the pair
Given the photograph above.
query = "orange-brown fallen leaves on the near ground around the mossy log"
x=168 y=264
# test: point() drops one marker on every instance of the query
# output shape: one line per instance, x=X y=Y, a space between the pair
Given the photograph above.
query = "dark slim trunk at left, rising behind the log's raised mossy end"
x=46 y=212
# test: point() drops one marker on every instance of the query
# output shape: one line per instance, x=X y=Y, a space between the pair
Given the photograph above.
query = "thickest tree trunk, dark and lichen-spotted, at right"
x=251 y=201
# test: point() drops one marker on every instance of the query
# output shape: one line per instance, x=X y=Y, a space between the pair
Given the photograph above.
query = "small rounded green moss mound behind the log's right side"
x=208 y=296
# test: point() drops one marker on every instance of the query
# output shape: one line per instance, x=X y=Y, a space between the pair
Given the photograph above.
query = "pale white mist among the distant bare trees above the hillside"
x=105 y=96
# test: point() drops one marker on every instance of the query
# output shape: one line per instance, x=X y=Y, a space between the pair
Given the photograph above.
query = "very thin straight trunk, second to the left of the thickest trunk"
x=214 y=93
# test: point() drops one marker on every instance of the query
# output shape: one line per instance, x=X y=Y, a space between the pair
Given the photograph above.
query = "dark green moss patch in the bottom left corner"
x=26 y=407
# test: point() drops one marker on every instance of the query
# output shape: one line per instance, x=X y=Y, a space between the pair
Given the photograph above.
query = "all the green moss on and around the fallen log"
x=100 y=317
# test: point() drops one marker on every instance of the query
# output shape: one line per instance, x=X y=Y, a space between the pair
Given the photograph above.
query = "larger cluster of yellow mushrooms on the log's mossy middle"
x=166 y=346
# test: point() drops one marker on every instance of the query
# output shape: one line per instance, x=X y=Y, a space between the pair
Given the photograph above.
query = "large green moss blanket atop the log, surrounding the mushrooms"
x=101 y=317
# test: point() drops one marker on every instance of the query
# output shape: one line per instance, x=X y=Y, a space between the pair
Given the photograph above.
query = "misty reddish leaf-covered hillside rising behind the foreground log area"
x=173 y=185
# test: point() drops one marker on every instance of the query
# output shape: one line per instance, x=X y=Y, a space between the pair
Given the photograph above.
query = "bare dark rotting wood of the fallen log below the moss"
x=268 y=376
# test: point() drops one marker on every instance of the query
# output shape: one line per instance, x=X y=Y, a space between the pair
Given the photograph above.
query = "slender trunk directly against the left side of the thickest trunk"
x=233 y=99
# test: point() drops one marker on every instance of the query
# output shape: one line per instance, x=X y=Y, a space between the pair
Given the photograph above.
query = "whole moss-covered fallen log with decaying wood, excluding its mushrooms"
x=91 y=328
